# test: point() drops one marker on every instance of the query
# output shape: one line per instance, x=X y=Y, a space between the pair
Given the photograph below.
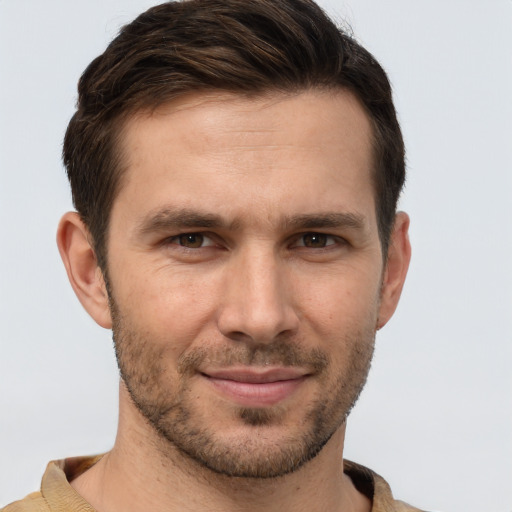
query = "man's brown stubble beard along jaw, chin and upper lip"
x=181 y=426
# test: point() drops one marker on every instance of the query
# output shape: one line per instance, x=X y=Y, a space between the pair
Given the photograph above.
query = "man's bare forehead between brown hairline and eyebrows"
x=267 y=154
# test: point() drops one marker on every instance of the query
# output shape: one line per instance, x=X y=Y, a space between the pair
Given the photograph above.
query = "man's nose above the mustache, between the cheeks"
x=257 y=302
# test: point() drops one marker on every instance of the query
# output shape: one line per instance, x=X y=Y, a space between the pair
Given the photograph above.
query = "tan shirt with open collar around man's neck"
x=57 y=495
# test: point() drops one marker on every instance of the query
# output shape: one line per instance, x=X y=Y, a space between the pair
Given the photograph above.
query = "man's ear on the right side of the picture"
x=399 y=256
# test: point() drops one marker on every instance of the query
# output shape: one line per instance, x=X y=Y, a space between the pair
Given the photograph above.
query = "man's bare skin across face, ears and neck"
x=247 y=283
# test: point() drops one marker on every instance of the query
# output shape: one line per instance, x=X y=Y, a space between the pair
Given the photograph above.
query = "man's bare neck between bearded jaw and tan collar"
x=139 y=474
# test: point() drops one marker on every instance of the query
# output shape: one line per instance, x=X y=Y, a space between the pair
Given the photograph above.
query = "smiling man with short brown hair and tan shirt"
x=235 y=167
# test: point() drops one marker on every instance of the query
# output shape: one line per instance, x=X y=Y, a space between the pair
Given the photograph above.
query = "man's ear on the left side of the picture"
x=86 y=278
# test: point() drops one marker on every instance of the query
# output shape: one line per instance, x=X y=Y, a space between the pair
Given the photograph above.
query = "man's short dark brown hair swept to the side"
x=242 y=46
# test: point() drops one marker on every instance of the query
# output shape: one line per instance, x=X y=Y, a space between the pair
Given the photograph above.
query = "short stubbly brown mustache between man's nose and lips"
x=277 y=353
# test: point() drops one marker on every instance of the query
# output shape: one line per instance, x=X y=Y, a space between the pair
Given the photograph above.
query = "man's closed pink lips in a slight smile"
x=256 y=387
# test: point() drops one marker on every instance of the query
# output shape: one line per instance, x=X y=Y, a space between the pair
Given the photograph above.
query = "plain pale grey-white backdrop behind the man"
x=436 y=416
